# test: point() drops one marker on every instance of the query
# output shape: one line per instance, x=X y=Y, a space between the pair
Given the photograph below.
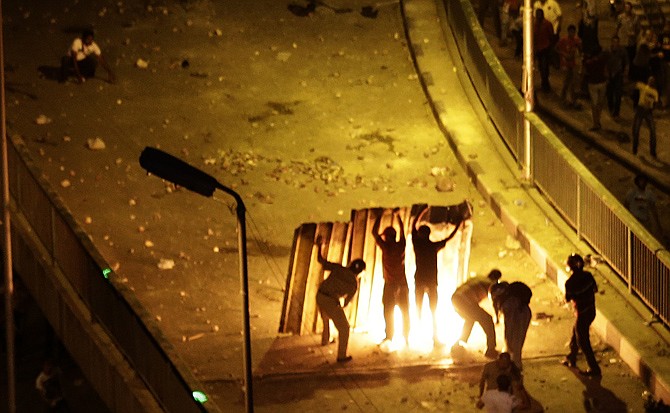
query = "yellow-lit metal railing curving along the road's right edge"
x=585 y=204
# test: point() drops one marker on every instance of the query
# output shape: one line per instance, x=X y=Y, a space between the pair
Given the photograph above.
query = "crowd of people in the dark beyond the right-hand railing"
x=636 y=62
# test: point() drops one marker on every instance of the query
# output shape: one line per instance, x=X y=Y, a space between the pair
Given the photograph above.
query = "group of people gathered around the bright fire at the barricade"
x=501 y=386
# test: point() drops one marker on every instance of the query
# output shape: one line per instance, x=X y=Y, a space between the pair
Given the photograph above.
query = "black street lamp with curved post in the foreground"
x=181 y=173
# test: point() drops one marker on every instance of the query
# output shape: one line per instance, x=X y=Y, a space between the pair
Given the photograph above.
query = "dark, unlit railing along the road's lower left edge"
x=51 y=245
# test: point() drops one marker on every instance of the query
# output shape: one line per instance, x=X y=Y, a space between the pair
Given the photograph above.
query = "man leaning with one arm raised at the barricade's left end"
x=341 y=283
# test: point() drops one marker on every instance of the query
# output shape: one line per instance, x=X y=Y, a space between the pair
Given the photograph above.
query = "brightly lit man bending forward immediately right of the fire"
x=466 y=301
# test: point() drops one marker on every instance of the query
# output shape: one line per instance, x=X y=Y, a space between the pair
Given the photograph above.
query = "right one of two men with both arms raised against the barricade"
x=425 y=253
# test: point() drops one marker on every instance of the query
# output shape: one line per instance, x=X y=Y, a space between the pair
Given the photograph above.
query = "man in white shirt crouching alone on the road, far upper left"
x=83 y=58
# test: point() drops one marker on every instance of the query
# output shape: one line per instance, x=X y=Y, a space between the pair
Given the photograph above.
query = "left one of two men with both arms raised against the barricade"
x=396 y=291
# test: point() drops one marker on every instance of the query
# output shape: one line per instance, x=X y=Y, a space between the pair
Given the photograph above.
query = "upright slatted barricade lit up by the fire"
x=345 y=242
